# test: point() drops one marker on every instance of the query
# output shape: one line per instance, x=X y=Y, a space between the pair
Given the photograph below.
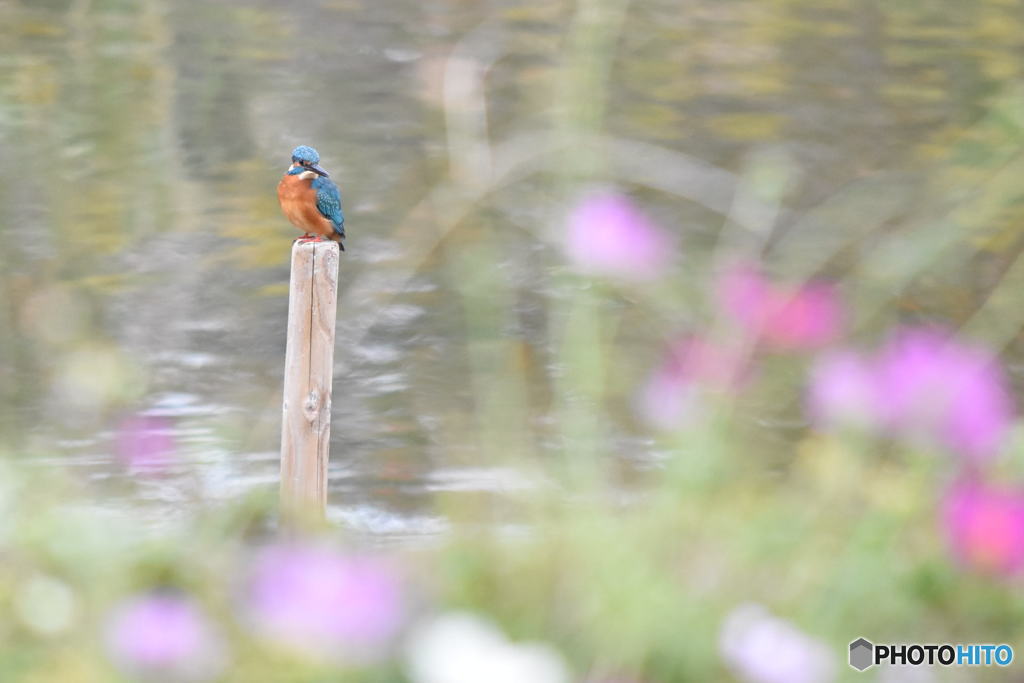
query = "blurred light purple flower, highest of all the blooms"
x=609 y=236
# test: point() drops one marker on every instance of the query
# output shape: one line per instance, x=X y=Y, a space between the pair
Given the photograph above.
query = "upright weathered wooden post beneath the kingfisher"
x=306 y=429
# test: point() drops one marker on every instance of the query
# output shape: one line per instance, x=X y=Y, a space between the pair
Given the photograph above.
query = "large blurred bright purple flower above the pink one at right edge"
x=932 y=386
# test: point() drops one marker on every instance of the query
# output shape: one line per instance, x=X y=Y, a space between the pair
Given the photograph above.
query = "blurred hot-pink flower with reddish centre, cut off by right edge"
x=985 y=527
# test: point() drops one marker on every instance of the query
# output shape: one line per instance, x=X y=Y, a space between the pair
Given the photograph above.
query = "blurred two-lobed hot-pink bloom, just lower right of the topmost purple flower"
x=785 y=319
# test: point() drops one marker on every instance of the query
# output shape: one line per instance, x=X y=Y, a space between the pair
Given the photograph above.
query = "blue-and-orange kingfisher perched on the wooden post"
x=311 y=200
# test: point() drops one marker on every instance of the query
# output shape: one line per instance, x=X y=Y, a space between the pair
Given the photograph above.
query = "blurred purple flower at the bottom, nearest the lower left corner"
x=162 y=636
